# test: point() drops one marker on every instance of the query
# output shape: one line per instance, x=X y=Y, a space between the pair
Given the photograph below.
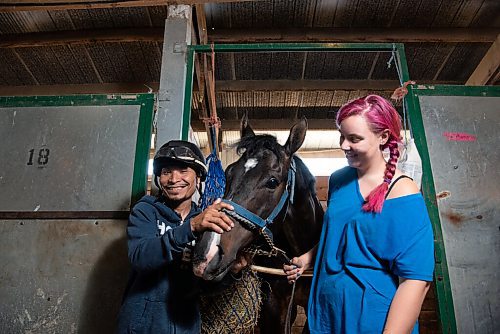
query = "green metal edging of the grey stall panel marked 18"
x=143 y=141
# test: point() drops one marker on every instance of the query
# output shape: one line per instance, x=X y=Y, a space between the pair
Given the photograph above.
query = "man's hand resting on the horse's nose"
x=212 y=218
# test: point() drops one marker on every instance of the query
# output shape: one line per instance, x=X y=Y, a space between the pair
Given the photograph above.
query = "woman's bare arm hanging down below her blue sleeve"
x=405 y=306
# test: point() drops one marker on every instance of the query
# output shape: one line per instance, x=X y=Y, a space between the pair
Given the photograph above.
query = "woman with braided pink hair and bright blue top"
x=375 y=258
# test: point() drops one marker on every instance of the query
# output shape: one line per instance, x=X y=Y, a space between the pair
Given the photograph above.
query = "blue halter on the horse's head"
x=254 y=221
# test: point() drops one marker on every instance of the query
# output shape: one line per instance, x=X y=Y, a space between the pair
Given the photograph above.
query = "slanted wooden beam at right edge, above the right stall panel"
x=486 y=73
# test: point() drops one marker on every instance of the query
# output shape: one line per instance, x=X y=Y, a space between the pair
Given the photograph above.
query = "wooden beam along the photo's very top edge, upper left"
x=52 y=5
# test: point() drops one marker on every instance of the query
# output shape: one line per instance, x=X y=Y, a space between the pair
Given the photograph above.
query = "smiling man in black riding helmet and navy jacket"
x=162 y=292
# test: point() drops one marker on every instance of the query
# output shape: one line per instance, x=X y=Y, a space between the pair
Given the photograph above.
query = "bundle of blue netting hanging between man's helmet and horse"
x=215 y=183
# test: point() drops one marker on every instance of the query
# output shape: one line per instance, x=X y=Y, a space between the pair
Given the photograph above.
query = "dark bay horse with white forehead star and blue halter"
x=268 y=180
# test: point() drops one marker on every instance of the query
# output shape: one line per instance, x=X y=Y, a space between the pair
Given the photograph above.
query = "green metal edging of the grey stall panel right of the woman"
x=441 y=276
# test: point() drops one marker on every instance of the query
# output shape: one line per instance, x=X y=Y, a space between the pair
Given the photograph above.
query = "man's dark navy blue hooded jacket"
x=162 y=292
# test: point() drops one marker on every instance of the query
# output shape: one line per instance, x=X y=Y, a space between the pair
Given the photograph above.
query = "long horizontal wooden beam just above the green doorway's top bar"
x=362 y=35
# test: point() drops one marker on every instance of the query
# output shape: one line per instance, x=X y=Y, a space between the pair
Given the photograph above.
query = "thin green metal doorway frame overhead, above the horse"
x=397 y=48
